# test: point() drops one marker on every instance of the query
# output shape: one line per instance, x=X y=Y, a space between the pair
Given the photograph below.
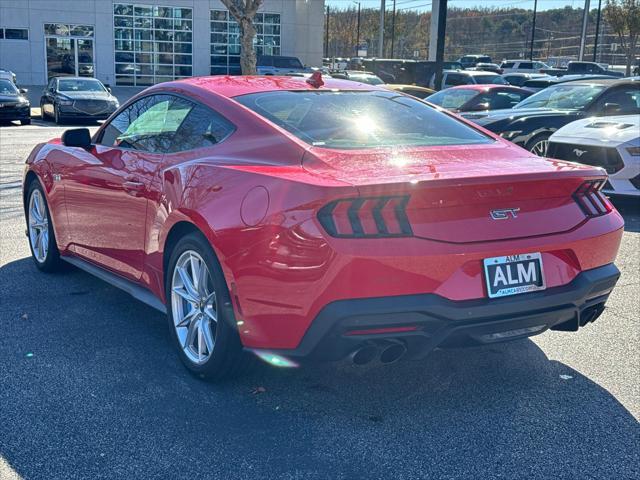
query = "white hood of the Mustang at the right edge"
x=600 y=130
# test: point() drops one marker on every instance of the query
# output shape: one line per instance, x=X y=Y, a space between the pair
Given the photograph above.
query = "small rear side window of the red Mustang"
x=201 y=128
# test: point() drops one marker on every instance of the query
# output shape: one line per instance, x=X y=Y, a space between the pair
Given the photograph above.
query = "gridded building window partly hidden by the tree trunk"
x=225 y=40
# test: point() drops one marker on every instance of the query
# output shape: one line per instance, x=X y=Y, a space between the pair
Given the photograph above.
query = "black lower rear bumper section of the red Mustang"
x=440 y=322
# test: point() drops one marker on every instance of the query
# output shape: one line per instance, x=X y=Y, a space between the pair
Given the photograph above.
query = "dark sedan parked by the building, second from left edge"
x=78 y=98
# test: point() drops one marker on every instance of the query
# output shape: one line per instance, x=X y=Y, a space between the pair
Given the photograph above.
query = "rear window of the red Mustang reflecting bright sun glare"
x=360 y=119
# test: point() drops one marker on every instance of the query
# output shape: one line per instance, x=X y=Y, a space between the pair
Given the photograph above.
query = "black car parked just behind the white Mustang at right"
x=531 y=122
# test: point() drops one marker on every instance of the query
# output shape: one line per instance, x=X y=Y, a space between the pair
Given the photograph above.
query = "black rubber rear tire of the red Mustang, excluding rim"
x=227 y=359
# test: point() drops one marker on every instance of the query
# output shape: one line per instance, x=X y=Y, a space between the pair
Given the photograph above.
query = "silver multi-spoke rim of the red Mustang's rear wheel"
x=194 y=307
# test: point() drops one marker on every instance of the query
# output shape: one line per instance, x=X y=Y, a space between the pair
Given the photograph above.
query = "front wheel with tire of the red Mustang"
x=42 y=240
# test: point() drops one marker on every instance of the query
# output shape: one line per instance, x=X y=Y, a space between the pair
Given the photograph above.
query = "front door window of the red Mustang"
x=149 y=124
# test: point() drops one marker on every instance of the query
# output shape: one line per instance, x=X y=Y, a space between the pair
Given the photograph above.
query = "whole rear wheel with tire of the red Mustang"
x=200 y=313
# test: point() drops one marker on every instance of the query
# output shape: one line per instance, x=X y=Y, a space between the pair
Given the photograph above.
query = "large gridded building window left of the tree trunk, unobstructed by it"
x=146 y=38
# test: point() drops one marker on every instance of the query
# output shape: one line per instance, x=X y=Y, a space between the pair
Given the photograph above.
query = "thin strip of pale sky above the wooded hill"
x=424 y=5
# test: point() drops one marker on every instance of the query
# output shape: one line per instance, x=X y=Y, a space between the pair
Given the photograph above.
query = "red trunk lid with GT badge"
x=466 y=194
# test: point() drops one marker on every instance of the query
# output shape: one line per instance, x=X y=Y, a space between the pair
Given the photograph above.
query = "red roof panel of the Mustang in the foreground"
x=236 y=85
